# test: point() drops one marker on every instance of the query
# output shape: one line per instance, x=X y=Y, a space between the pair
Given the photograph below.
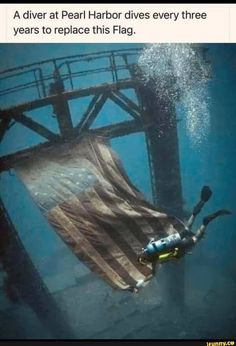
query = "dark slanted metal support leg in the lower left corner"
x=25 y=278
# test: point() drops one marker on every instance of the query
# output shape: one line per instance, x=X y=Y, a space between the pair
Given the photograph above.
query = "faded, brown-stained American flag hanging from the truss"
x=82 y=189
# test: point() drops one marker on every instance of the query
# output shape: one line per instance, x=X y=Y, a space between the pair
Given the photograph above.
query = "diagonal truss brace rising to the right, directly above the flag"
x=91 y=113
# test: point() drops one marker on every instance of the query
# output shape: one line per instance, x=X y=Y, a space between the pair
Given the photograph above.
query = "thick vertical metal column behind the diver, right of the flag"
x=163 y=152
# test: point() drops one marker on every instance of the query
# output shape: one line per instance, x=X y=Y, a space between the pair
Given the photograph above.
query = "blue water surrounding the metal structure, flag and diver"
x=207 y=149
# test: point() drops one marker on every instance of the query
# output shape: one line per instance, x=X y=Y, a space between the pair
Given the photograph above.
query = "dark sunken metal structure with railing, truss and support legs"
x=55 y=83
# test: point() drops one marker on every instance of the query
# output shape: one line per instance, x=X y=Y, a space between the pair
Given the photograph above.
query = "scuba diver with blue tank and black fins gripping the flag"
x=179 y=243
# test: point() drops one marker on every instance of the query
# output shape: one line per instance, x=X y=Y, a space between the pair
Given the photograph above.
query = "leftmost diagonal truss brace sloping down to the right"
x=33 y=125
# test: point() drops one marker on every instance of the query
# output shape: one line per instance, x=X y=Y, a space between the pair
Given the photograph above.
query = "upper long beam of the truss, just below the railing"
x=69 y=95
